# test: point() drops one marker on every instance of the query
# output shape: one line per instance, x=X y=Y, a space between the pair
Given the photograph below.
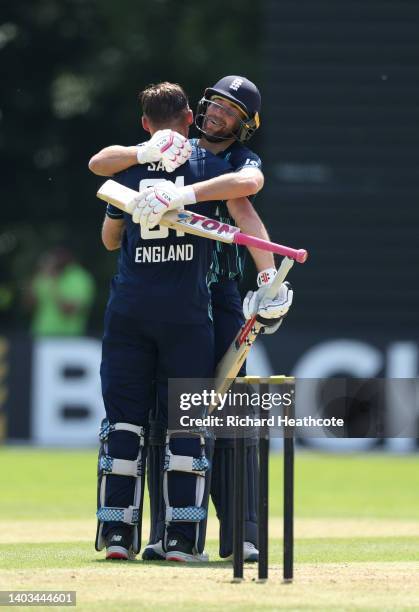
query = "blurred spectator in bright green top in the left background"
x=61 y=295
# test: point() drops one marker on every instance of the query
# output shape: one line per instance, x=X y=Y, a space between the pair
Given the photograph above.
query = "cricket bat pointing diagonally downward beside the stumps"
x=230 y=364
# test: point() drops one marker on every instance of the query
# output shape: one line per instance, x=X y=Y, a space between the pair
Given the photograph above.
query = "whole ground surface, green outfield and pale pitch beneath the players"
x=366 y=572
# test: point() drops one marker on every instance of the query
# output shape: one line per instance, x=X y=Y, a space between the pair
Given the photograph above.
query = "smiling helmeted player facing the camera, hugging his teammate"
x=227 y=116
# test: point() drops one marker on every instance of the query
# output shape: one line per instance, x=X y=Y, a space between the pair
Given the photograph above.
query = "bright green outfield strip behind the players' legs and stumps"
x=57 y=484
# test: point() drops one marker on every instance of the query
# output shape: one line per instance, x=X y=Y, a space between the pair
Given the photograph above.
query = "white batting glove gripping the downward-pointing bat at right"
x=271 y=309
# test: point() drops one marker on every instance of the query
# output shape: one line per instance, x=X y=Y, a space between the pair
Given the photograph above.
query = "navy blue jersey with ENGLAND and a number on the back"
x=162 y=273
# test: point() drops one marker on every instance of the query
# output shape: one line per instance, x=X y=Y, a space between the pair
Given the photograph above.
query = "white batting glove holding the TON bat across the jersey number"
x=152 y=203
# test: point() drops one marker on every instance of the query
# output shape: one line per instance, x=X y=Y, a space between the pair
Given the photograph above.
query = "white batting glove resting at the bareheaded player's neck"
x=167 y=146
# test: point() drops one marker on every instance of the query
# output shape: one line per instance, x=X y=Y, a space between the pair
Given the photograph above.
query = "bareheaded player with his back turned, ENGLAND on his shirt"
x=157 y=326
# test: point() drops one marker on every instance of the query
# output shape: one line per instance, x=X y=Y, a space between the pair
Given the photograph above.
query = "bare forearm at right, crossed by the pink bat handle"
x=249 y=222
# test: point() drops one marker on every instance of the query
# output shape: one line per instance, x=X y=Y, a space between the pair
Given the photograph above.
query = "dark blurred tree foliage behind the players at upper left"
x=70 y=73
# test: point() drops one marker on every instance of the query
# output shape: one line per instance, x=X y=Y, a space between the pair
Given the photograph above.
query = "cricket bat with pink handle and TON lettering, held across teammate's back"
x=192 y=223
